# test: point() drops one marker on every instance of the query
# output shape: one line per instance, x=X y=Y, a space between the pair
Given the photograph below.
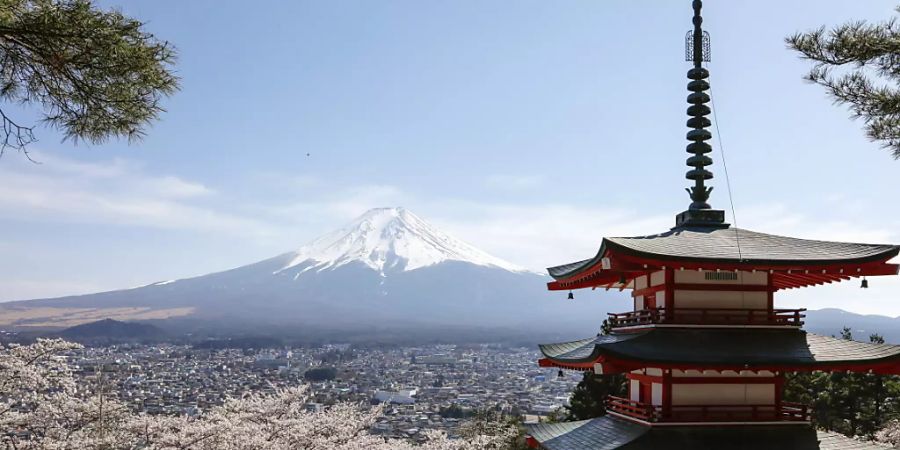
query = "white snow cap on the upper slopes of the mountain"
x=390 y=239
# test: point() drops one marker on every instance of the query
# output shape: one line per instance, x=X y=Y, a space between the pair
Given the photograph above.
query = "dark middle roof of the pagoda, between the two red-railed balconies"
x=724 y=349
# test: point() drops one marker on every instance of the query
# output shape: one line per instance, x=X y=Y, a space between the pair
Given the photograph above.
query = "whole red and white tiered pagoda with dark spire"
x=705 y=350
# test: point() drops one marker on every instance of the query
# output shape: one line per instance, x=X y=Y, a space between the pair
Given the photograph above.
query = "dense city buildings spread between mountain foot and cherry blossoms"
x=434 y=387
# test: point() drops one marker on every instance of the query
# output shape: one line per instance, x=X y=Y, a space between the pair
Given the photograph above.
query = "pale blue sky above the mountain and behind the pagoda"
x=531 y=129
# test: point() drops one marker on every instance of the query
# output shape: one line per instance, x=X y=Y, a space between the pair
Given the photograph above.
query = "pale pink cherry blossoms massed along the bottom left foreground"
x=42 y=408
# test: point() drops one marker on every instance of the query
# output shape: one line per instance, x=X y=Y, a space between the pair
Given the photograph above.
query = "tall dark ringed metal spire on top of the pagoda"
x=697 y=50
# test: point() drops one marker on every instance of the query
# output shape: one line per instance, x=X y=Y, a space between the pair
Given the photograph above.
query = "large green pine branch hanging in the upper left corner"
x=95 y=74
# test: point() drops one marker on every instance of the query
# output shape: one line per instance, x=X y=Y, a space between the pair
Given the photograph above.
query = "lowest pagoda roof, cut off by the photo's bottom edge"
x=610 y=433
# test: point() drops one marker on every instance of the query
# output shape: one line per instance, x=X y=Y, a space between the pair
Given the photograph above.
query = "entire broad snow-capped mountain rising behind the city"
x=387 y=268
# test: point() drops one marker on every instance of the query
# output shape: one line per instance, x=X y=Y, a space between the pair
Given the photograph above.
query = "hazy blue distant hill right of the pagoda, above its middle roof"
x=830 y=321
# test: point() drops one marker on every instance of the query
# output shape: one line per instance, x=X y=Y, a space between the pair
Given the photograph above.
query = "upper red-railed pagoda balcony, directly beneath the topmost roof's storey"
x=709 y=316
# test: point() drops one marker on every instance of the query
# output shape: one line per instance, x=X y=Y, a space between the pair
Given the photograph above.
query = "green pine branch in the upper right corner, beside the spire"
x=858 y=63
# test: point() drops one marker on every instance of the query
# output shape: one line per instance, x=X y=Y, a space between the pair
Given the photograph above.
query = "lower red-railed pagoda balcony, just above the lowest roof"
x=645 y=412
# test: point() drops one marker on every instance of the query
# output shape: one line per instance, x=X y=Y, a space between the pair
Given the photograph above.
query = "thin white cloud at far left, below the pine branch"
x=116 y=192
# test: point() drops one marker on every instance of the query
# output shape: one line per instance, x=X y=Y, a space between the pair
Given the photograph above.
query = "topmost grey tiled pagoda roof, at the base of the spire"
x=731 y=245
